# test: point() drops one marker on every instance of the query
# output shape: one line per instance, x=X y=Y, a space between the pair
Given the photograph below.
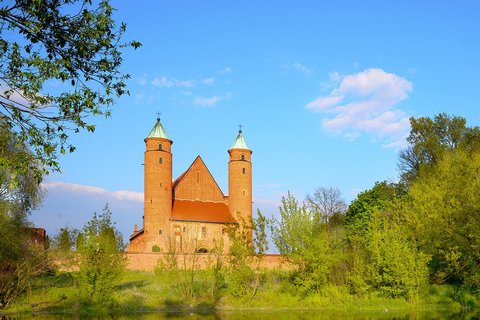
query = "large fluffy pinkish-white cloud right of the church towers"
x=365 y=102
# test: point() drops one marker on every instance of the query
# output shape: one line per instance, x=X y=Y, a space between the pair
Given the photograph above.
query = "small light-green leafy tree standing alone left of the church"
x=101 y=259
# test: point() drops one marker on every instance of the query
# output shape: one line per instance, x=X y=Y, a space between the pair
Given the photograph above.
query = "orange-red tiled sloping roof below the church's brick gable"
x=201 y=211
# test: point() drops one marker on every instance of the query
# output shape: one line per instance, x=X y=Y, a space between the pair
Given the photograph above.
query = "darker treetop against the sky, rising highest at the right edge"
x=430 y=138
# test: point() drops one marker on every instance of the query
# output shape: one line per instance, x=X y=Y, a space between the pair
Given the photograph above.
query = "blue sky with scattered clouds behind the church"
x=322 y=89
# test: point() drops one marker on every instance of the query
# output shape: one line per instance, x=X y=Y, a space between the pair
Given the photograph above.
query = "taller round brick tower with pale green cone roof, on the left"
x=158 y=187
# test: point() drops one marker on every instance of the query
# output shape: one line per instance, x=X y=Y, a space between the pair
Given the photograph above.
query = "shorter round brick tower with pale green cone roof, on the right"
x=240 y=180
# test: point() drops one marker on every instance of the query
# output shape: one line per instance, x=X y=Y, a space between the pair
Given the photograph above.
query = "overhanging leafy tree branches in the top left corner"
x=71 y=41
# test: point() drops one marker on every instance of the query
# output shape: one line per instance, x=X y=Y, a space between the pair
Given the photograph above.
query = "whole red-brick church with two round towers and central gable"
x=190 y=213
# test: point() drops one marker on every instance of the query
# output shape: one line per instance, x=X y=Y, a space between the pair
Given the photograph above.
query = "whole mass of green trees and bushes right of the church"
x=397 y=237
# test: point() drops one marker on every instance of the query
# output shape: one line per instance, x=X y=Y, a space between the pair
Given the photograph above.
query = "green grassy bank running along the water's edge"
x=145 y=292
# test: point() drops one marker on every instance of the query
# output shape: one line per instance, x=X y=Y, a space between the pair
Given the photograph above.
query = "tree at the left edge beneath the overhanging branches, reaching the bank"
x=19 y=194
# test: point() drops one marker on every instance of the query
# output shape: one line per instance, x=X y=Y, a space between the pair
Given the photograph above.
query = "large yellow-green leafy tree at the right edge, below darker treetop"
x=443 y=211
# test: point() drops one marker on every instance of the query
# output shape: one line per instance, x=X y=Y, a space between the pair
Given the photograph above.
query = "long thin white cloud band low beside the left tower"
x=91 y=190
